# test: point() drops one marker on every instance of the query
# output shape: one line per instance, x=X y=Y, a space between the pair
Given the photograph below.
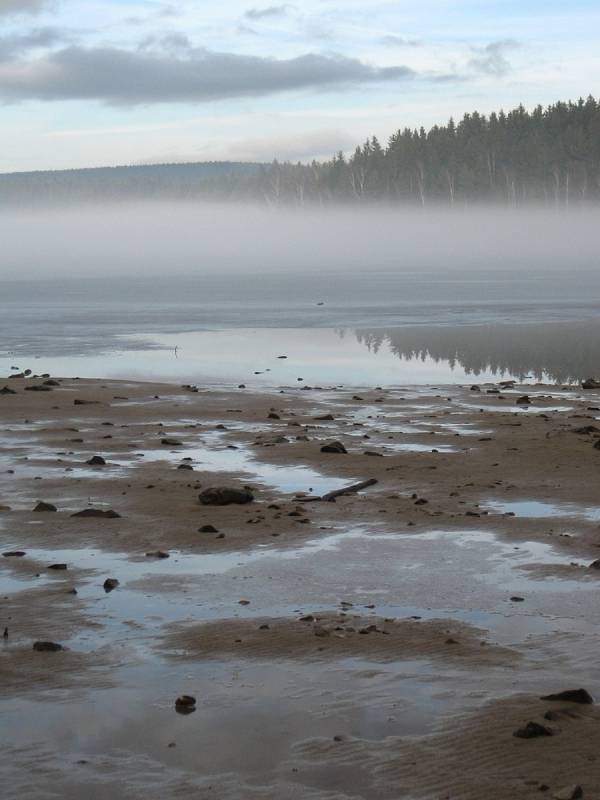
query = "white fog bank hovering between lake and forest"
x=197 y=239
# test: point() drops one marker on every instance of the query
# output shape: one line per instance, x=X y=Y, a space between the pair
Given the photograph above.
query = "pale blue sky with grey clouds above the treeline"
x=105 y=82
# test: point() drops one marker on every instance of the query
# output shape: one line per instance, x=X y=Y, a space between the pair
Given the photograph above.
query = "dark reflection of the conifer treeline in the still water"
x=560 y=353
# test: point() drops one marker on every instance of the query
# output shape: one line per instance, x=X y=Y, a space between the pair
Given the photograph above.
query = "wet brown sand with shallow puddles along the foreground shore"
x=386 y=645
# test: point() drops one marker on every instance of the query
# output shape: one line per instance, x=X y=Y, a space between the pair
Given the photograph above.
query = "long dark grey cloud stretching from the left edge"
x=125 y=77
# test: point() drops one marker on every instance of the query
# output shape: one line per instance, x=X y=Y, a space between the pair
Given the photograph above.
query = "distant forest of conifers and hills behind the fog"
x=549 y=155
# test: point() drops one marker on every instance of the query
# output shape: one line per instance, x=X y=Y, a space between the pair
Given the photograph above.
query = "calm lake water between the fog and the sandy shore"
x=369 y=329
